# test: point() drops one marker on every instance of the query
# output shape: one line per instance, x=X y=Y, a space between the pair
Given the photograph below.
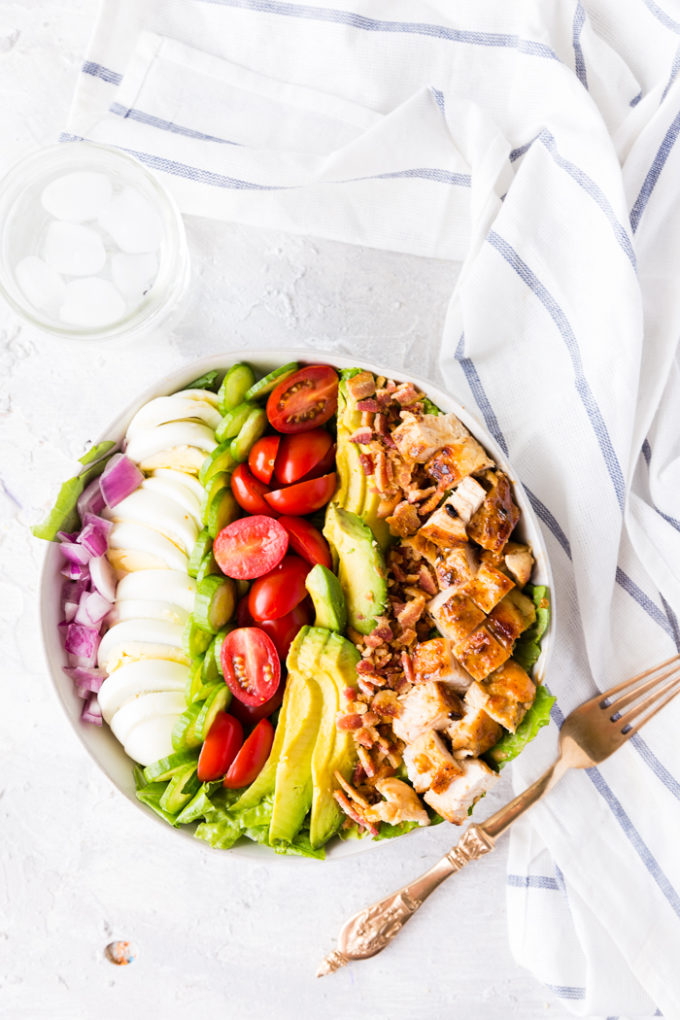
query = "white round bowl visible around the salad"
x=99 y=742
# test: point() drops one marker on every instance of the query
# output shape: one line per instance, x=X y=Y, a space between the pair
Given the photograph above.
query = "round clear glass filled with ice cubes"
x=92 y=245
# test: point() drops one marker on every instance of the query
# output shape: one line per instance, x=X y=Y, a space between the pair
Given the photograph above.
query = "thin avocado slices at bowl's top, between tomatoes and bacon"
x=355 y=491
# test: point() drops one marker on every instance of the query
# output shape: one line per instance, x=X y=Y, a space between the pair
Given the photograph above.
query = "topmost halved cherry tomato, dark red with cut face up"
x=304 y=400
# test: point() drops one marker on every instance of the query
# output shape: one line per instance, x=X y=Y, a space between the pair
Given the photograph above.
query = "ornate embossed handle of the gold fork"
x=370 y=932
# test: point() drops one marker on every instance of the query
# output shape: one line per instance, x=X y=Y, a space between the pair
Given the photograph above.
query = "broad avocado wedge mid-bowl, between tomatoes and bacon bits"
x=361 y=568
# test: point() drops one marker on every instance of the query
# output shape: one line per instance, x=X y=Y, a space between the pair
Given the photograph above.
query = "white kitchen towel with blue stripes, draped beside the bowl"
x=535 y=144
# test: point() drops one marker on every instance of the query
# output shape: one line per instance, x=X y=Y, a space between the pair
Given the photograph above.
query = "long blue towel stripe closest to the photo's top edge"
x=494 y=39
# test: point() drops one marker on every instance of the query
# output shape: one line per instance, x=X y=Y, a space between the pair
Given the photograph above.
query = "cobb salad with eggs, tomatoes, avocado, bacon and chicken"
x=301 y=605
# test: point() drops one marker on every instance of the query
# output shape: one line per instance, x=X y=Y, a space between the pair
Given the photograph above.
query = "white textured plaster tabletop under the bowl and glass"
x=215 y=935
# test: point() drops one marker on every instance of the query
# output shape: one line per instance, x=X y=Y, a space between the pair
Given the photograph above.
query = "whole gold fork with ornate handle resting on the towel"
x=590 y=735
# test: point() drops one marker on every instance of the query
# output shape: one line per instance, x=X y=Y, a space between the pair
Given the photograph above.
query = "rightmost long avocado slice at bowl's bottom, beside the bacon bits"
x=335 y=750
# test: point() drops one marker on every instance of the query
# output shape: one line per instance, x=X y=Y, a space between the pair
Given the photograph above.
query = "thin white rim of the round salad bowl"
x=267 y=361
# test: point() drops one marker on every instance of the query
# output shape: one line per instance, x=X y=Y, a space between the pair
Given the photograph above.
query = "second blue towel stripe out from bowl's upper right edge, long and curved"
x=567 y=334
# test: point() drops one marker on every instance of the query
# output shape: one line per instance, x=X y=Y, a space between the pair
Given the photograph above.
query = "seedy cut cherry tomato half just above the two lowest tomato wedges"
x=250 y=666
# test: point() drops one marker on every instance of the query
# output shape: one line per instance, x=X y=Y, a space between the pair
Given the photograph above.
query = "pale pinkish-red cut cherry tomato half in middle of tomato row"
x=250 y=547
